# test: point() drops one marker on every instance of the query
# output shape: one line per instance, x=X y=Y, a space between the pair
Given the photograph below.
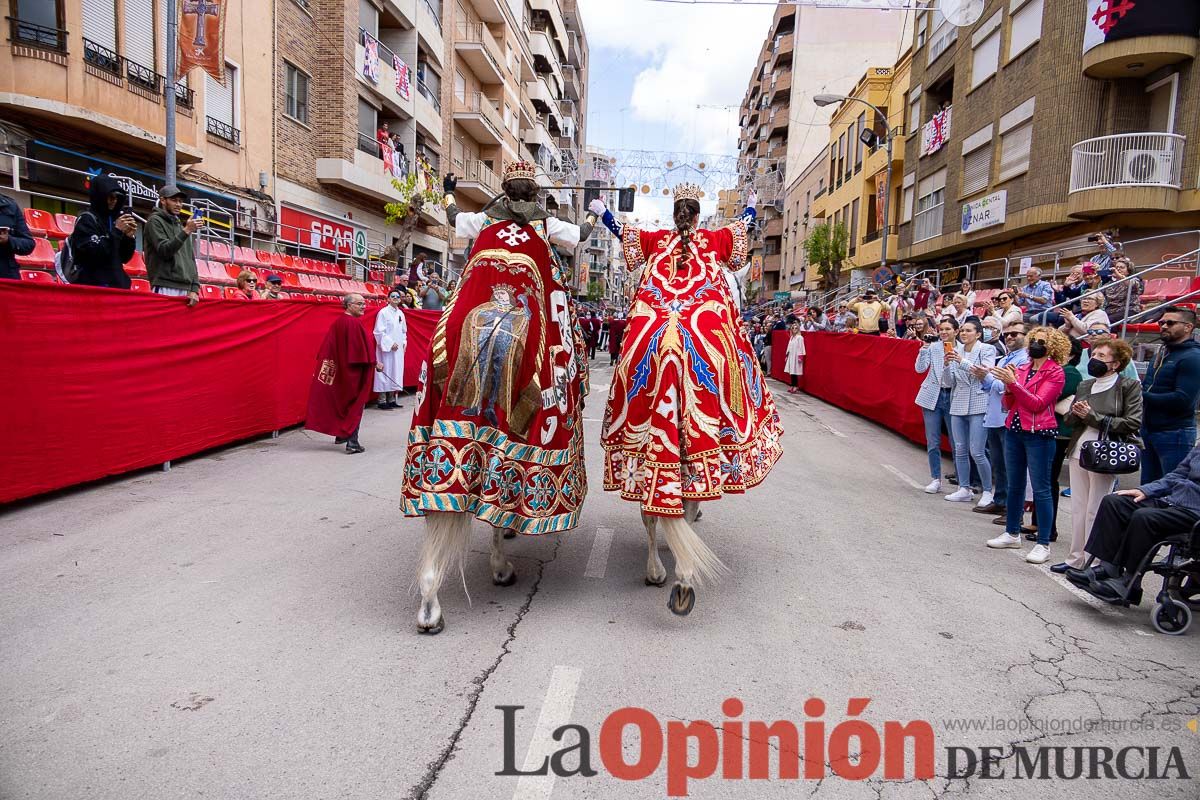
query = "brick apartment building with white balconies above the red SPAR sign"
x=343 y=71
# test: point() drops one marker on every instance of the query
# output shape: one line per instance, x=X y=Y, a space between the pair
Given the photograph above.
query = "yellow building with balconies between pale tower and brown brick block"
x=857 y=173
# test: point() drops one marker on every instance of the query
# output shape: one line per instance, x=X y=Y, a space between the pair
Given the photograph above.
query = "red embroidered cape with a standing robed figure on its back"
x=497 y=432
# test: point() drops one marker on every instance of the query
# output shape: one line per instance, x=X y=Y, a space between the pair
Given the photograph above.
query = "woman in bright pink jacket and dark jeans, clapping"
x=1030 y=395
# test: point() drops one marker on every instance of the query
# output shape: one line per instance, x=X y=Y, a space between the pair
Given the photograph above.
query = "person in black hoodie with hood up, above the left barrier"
x=103 y=242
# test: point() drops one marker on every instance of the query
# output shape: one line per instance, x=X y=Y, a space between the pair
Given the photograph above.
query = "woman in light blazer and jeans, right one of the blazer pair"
x=969 y=401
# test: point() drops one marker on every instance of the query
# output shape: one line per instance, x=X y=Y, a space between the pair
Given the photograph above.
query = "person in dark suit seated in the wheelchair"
x=1132 y=522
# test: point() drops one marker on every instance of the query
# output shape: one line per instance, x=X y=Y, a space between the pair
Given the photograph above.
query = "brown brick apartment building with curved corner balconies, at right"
x=1045 y=123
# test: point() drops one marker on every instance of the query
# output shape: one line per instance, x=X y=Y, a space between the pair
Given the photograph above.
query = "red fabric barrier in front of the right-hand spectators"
x=871 y=376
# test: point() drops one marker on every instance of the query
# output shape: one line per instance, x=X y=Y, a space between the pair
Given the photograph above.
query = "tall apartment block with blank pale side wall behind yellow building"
x=808 y=51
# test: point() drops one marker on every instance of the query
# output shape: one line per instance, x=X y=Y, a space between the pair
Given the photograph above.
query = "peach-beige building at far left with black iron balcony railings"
x=83 y=92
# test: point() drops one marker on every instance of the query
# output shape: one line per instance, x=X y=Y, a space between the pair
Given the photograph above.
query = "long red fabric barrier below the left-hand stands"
x=100 y=382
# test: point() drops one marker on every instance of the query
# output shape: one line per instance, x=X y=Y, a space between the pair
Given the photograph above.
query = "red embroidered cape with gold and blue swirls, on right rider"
x=689 y=414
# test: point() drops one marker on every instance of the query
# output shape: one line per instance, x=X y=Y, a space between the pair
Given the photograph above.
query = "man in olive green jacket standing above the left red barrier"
x=171 y=261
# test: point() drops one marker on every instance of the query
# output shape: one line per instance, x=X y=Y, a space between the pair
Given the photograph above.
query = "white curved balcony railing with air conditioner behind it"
x=1129 y=160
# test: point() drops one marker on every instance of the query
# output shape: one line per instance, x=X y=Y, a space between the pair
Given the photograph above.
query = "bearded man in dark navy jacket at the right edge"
x=1171 y=394
